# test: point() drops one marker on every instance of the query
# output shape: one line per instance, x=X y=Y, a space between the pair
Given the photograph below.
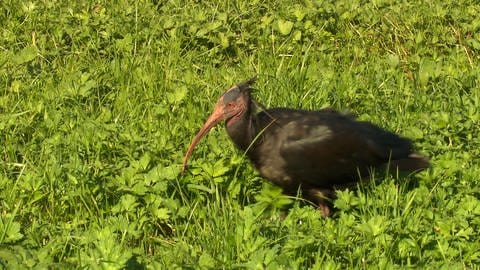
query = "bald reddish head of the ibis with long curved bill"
x=230 y=106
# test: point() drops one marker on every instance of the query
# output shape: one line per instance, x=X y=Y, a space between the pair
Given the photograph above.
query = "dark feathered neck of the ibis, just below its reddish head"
x=242 y=130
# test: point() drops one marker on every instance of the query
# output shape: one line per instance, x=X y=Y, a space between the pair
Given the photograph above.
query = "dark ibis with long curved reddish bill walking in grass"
x=313 y=153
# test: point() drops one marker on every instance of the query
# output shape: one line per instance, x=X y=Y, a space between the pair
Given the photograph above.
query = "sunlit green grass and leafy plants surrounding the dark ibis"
x=99 y=101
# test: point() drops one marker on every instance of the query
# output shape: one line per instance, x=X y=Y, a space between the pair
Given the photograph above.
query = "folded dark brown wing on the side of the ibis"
x=330 y=149
